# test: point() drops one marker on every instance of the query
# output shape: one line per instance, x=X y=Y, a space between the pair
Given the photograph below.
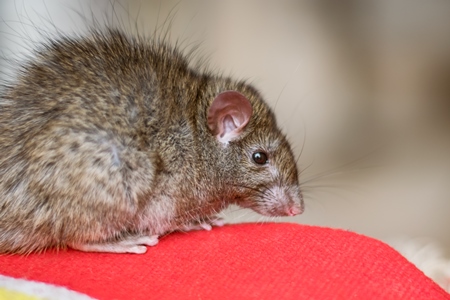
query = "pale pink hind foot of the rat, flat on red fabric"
x=130 y=244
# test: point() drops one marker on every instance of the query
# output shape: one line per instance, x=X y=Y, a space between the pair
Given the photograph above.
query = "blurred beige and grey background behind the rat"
x=347 y=80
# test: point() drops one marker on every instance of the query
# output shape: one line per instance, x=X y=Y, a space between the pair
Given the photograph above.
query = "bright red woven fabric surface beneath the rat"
x=248 y=261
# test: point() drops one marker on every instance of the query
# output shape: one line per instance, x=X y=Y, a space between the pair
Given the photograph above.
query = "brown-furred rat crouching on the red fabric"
x=109 y=141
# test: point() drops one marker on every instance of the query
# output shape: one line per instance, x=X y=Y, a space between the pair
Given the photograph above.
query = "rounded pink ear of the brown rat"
x=228 y=115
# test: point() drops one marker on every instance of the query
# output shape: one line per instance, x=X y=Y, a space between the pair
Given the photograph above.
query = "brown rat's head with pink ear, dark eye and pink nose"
x=254 y=156
